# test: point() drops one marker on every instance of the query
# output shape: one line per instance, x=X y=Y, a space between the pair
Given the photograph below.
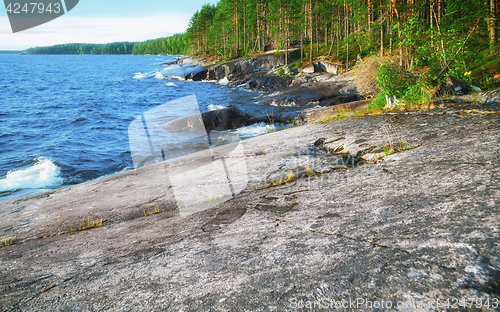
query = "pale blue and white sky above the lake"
x=98 y=21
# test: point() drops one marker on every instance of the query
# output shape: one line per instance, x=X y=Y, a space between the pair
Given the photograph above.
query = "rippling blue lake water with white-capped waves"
x=64 y=118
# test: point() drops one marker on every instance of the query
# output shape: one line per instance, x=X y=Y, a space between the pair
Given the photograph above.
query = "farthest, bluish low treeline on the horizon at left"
x=85 y=48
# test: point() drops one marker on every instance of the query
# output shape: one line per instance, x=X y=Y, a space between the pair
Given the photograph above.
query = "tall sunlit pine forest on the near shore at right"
x=438 y=33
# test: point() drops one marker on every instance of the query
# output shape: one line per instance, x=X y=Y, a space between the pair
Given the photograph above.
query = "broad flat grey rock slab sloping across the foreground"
x=419 y=225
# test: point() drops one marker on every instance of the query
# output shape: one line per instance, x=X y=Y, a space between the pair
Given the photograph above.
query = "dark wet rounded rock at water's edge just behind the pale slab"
x=224 y=119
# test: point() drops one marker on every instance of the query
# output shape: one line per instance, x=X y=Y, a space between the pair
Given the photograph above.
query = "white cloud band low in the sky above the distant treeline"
x=68 y=29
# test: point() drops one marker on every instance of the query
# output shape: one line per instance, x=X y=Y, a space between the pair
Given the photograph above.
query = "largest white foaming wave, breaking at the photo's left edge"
x=43 y=174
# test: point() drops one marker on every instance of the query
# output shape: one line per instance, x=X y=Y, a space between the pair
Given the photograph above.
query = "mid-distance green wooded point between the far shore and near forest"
x=176 y=44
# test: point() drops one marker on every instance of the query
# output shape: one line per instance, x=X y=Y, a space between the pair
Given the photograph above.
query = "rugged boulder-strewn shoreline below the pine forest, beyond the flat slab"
x=322 y=83
